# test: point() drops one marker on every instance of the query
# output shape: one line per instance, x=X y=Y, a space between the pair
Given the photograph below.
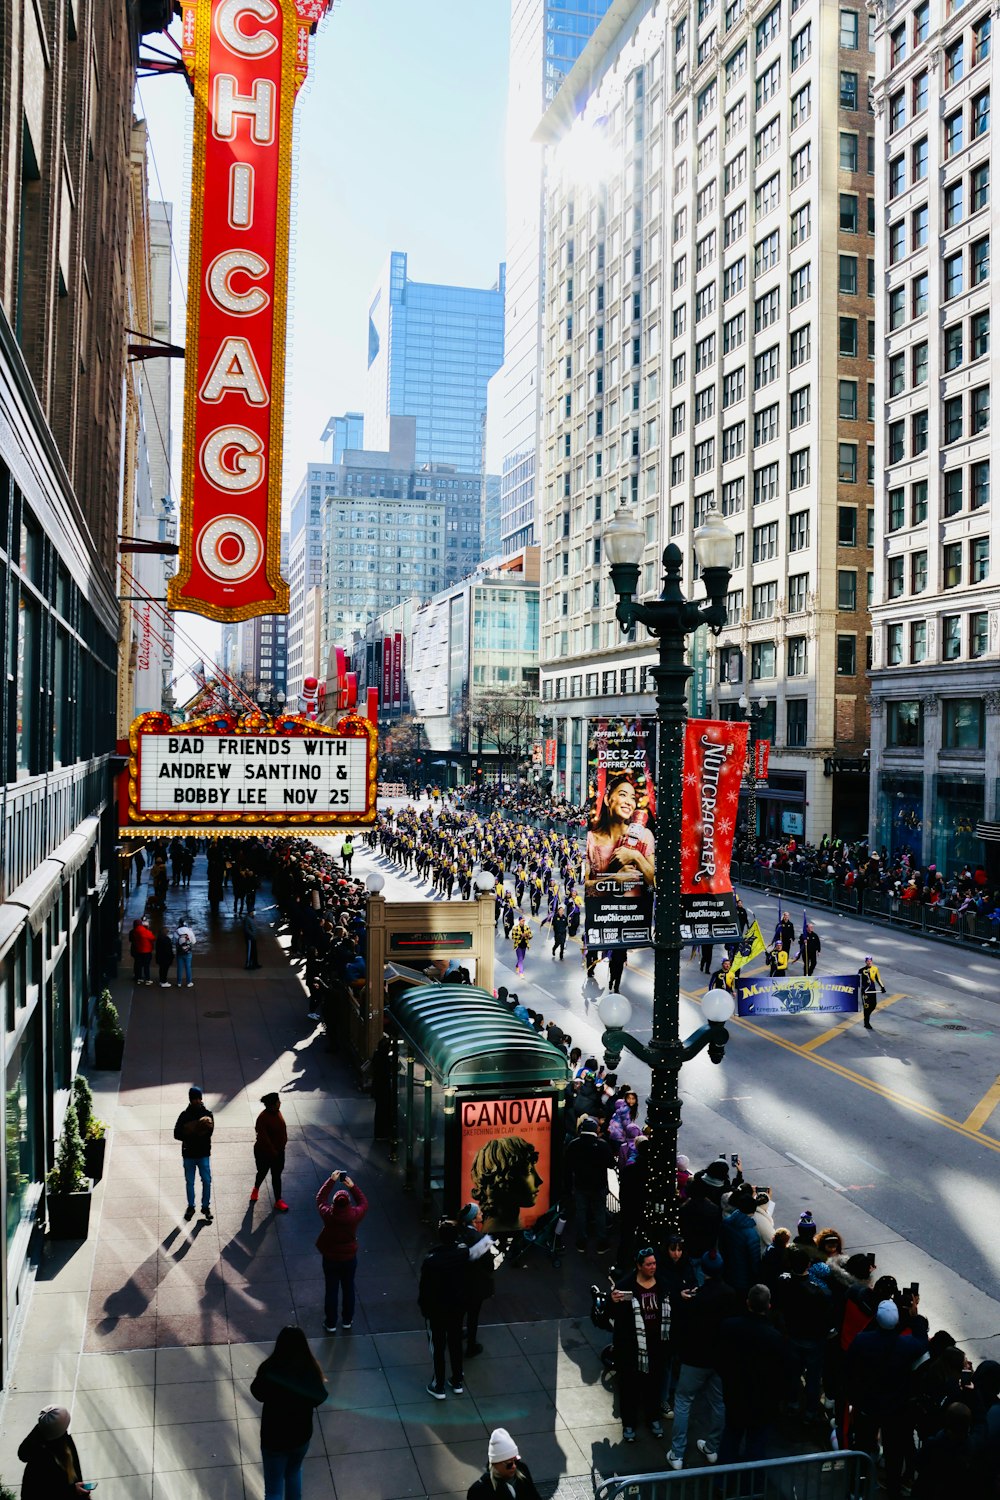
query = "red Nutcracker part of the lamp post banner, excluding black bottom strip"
x=714 y=755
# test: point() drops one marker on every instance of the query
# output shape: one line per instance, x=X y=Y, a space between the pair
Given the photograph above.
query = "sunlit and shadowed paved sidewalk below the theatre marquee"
x=154 y=1330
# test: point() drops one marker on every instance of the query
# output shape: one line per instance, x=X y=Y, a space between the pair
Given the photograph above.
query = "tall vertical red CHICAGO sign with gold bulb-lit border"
x=247 y=61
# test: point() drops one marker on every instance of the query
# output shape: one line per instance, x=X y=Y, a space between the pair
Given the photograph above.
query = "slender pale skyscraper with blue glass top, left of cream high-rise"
x=546 y=38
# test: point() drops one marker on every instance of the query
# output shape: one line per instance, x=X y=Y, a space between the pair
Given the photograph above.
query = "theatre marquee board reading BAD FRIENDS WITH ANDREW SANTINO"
x=221 y=775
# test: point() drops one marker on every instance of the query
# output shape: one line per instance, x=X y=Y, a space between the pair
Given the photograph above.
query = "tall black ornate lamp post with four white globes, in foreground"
x=671 y=619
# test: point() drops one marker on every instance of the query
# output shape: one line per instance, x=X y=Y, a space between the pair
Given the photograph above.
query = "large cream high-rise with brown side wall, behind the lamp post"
x=710 y=304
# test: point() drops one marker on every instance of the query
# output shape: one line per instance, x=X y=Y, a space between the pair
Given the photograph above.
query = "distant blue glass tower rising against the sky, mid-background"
x=433 y=352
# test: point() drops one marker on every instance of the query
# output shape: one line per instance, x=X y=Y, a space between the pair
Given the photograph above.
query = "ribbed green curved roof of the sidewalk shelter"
x=467 y=1037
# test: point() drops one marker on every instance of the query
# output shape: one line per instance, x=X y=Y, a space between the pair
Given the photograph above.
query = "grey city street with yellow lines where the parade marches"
x=890 y=1136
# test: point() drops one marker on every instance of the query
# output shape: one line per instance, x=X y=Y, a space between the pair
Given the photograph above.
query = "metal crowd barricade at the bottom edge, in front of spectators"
x=810 y=1477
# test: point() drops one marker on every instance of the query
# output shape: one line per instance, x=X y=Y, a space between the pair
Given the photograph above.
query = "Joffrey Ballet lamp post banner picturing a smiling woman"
x=620 y=860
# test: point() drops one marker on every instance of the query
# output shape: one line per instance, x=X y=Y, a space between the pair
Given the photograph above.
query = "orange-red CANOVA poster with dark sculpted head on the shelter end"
x=507 y=1160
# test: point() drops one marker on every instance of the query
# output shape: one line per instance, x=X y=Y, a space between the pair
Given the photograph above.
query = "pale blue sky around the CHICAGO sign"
x=401 y=148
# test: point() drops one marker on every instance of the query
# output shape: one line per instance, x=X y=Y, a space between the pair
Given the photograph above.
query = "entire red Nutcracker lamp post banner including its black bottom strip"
x=714 y=757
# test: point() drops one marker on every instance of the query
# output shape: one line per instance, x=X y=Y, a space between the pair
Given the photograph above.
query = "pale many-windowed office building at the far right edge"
x=936 y=614
